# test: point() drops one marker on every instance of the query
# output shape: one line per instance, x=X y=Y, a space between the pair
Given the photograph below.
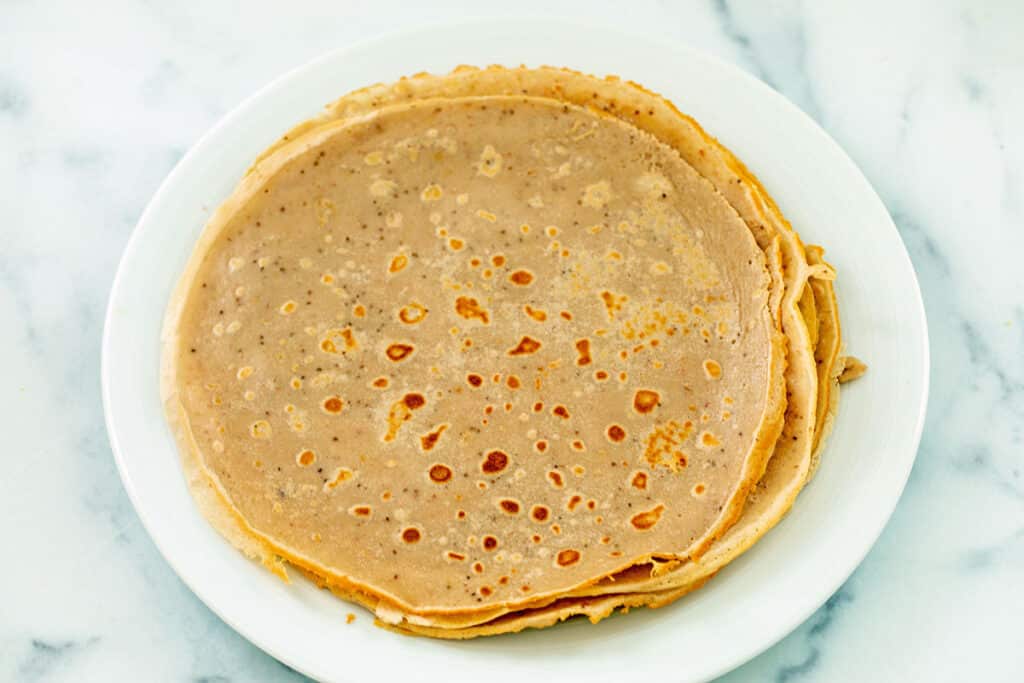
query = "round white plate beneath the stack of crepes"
x=752 y=604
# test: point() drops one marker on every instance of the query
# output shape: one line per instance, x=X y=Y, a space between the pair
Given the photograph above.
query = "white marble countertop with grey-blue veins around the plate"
x=98 y=105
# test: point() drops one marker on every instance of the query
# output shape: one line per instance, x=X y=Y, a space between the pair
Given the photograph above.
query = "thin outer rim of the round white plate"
x=227 y=121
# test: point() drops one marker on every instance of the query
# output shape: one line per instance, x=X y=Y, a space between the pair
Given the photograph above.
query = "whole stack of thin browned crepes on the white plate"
x=488 y=351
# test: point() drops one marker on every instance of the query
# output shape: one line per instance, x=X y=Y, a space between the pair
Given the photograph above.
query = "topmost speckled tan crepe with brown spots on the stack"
x=310 y=519
